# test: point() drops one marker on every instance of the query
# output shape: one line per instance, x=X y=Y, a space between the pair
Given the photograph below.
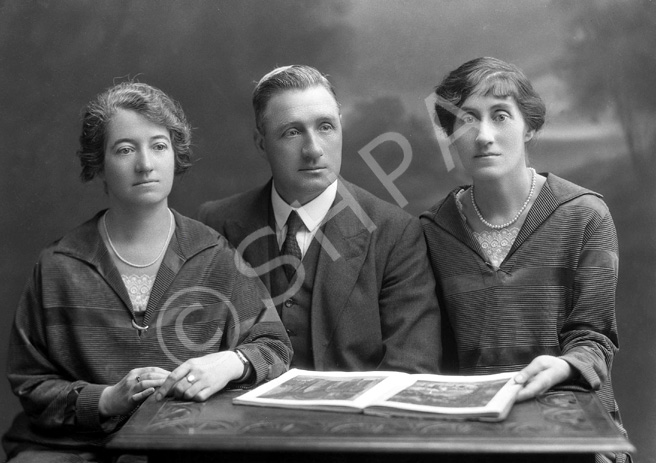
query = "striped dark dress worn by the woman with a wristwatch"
x=73 y=333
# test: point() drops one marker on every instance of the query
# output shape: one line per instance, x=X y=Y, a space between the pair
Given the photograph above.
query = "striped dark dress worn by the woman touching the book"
x=553 y=294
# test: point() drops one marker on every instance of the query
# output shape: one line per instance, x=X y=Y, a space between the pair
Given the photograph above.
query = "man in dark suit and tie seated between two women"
x=350 y=279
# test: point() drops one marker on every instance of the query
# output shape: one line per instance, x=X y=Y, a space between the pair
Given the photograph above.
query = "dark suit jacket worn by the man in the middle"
x=375 y=307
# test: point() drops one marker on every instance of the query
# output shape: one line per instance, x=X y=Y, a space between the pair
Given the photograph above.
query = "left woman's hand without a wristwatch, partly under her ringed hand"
x=134 y=388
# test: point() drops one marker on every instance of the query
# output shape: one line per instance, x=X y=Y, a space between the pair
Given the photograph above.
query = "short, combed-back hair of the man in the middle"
x=294 y=77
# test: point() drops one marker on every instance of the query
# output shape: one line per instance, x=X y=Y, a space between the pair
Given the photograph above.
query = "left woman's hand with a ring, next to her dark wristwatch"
x=199 y=378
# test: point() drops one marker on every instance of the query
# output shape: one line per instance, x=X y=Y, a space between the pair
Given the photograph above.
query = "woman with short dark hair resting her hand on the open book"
x=526 y=263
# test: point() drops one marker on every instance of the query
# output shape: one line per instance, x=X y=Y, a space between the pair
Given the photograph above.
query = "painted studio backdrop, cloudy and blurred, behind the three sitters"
x=593 y=62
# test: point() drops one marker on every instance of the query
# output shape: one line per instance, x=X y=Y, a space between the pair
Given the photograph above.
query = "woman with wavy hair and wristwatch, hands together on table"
x=139 y=300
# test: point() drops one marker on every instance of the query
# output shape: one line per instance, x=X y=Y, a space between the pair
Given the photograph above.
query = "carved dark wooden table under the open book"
x=559 y=427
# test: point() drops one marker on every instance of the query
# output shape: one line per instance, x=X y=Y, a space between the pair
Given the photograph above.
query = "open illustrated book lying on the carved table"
x=487 y=398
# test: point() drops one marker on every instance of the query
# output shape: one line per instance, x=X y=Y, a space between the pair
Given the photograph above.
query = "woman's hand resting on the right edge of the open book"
x=542 y=374
